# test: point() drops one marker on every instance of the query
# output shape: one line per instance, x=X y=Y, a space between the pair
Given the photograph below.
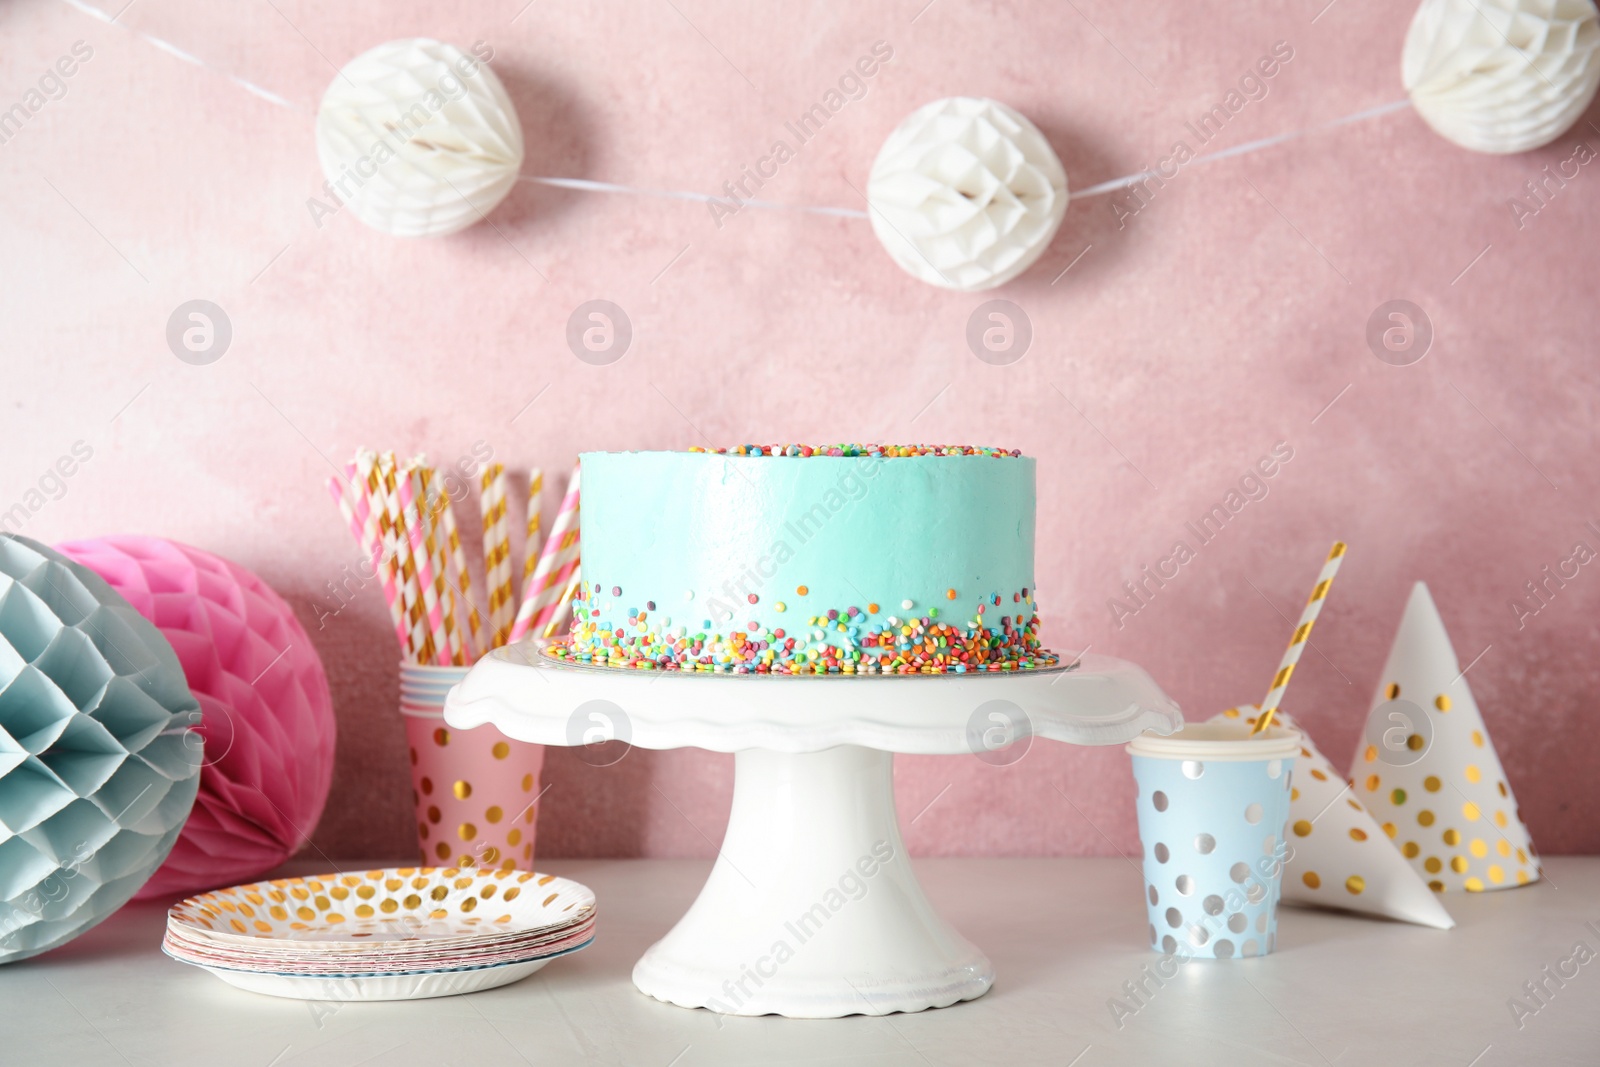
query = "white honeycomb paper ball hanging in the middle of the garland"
x=967 y=194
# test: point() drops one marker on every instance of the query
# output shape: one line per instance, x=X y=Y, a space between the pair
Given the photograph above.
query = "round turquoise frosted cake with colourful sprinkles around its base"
x=793 y=559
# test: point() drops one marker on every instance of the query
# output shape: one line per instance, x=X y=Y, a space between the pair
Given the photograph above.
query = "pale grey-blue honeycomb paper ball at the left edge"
x=98 y=767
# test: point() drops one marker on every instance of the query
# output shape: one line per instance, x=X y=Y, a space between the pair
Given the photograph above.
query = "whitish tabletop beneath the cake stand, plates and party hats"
x=1065 y=935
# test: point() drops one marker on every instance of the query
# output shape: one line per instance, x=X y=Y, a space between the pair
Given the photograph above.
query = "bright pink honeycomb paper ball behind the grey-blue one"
x=266 y=713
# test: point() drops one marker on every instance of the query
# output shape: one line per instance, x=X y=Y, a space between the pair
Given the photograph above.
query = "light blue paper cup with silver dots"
x=1214 y=802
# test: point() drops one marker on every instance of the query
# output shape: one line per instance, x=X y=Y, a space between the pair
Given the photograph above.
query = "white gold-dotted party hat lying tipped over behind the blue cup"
x=1342 y=857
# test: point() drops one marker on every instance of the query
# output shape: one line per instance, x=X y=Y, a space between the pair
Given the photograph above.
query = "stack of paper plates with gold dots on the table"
x=404 y=933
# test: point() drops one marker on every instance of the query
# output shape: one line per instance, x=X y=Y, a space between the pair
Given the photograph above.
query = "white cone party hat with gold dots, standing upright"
x=1428 y=770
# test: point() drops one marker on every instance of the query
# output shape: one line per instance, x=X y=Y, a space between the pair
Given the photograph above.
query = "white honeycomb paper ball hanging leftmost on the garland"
x=418 y=138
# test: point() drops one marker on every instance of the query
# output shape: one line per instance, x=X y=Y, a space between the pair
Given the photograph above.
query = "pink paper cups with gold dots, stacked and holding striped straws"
x=476 y=791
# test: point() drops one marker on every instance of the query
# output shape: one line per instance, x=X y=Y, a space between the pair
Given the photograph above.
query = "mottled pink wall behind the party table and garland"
x=1186 y=342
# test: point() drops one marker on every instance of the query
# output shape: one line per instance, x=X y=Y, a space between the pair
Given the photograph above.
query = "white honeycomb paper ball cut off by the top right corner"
x=1502 y=76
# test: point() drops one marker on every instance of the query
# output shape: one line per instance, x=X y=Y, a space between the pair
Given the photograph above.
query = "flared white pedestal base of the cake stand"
x=814 y=909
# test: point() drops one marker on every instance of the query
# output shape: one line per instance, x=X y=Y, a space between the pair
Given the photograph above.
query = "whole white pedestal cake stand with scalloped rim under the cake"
x=812 y=909
